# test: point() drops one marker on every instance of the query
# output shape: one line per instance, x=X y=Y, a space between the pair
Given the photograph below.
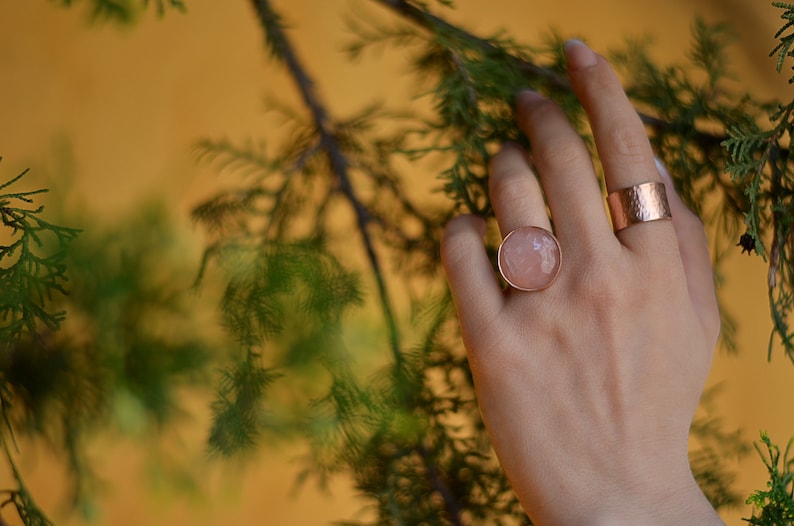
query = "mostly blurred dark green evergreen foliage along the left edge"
x=120 y=358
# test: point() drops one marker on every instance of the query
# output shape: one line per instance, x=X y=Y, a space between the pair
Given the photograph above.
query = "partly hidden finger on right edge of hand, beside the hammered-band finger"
x=693 y=247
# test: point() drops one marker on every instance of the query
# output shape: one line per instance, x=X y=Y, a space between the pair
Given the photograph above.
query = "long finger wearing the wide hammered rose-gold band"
x=620 y=137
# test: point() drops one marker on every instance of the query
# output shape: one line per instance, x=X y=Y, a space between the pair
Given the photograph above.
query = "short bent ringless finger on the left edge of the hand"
x=477 y=292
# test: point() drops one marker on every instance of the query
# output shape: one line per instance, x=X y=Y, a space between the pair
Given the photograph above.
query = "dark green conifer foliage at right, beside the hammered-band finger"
x=745 y=161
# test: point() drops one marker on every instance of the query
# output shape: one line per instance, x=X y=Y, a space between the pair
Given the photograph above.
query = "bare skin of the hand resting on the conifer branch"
x=588 y=388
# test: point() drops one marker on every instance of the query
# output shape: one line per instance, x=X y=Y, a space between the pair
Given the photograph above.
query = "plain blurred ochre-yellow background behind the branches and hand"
x=108 y=118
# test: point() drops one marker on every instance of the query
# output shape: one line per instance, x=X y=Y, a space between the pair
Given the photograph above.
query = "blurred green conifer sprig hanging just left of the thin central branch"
x=291 y=296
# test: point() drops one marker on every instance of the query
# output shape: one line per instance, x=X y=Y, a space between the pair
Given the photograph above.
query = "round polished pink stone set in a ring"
x=529 y=258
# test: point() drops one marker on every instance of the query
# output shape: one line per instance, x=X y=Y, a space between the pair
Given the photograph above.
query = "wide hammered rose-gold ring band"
x=638 y=204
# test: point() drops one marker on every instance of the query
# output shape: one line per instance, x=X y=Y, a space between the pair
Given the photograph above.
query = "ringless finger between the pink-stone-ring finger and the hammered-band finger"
x=566 y=172
